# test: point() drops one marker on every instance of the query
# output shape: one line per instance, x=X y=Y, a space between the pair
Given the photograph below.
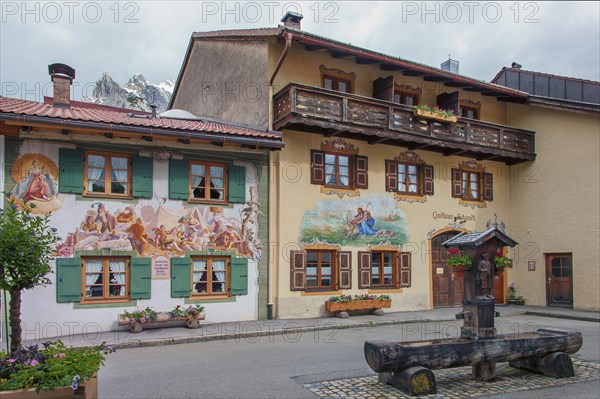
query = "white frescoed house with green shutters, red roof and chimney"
x=151 y=211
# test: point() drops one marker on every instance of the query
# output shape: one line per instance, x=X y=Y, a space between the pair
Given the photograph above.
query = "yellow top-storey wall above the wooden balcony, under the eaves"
x=301 y=66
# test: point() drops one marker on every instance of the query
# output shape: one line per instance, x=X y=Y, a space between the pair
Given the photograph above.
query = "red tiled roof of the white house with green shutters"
x=26 y=112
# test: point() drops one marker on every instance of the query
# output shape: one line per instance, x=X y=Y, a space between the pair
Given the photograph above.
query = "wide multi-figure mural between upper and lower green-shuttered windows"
x=159 y=231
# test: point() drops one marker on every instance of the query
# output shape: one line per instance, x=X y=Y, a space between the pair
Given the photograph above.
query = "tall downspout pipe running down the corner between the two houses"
x=273 y=191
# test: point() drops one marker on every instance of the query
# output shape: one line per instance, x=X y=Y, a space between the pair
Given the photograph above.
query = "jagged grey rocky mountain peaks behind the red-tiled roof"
x=137 y=93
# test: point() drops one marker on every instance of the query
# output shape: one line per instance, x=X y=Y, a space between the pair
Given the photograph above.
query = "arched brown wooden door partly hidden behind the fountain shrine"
x=447 y=287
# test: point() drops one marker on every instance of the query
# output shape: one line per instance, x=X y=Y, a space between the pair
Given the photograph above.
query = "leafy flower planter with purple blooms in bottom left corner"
x=52 y=370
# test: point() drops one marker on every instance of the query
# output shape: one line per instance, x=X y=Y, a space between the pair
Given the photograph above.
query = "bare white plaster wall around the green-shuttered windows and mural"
x=42 y=317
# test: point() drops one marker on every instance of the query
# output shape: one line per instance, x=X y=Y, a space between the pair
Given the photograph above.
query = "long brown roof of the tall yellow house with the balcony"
x=387 y=62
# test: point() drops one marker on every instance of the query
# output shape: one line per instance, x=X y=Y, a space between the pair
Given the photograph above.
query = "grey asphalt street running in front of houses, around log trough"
x=279 y=366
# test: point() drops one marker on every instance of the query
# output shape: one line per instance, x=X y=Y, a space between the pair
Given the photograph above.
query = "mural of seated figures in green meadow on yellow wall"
x=369 y=220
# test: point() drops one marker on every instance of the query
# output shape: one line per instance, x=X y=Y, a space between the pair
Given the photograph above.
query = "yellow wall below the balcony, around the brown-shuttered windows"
x=297 y=195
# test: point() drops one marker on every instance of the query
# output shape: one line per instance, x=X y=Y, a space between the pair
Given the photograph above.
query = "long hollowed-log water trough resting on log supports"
x=408 y=365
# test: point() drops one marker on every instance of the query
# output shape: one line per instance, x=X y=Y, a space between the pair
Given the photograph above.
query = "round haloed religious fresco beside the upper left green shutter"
x=35 y=177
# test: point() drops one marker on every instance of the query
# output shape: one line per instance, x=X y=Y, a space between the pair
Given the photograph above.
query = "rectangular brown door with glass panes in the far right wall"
x=559 y=280
